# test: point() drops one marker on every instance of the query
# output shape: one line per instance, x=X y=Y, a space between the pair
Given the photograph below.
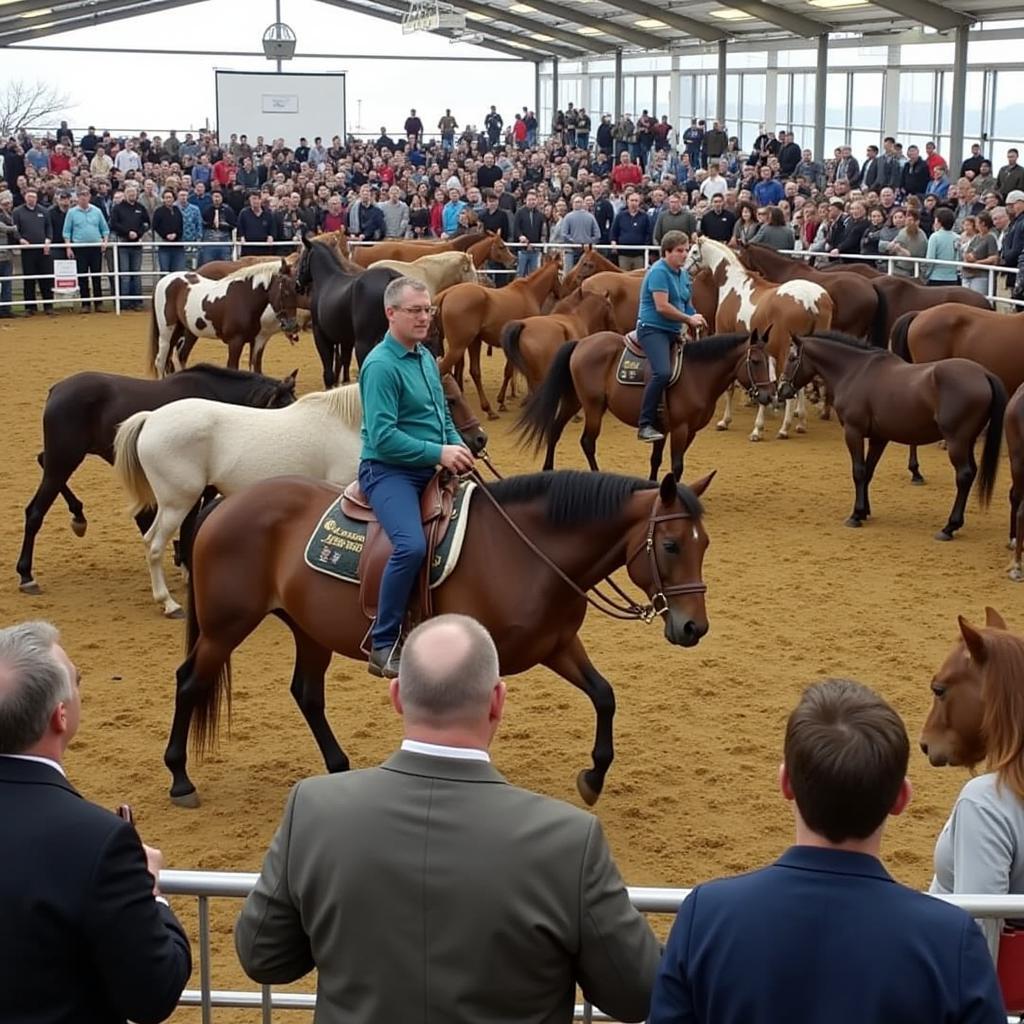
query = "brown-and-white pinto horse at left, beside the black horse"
x=247 y=308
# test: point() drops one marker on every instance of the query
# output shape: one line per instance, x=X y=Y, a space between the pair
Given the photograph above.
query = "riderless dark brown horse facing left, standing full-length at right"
x=880 y=398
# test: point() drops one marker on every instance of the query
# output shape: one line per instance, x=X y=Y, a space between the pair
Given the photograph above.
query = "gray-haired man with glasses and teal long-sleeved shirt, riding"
x=407 y=434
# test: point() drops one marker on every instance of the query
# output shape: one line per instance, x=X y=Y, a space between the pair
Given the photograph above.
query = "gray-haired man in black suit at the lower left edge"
x=86 y=936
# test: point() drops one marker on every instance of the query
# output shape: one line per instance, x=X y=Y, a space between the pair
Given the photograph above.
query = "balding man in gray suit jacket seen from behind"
x=430 y=889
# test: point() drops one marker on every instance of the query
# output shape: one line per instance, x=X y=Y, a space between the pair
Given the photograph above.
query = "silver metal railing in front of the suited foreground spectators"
x=237 y=885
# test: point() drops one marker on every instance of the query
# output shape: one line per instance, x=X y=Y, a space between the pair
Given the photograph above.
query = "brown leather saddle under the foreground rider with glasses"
x=437 y=505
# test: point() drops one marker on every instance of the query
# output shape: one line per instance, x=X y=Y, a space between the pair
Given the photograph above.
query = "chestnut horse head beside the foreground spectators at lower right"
x=954 y=733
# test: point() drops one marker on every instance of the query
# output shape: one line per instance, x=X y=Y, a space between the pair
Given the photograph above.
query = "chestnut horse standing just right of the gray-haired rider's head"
x=472 y=315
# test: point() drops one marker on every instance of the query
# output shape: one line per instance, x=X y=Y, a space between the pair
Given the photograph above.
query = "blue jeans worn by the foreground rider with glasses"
x=395 y=495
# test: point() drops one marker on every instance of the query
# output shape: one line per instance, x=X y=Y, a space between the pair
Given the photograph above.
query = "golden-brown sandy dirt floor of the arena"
x=793 y=596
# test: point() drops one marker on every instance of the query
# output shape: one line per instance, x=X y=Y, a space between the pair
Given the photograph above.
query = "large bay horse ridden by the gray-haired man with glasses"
x=534 y=547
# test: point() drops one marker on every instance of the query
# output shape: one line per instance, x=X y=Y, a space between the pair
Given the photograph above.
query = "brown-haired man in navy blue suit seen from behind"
x=826 y=934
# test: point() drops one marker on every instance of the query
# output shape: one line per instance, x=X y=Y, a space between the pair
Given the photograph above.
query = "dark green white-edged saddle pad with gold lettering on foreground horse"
x=336 y=544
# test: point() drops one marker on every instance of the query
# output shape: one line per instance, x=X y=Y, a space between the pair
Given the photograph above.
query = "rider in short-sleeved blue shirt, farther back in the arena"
x=665 y=308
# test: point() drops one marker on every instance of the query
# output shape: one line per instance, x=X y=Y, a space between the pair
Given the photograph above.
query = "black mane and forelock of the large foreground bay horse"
x=575 y=498
